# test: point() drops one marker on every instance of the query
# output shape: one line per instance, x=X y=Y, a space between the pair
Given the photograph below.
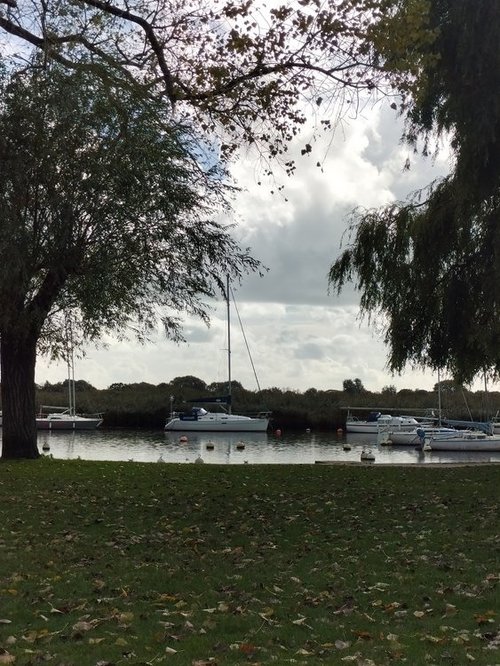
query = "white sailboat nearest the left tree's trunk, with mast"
x=66 y=418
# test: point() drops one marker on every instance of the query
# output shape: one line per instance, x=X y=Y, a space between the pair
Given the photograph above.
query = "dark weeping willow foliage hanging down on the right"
x=431 y=265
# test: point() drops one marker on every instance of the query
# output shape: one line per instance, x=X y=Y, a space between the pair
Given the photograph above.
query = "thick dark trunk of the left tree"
x=18 y=358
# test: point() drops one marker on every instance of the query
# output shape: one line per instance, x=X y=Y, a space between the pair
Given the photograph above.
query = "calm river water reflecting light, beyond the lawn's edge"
x=238 y=448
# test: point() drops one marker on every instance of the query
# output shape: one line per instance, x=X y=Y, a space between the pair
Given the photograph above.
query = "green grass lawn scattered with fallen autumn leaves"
x=130 y=563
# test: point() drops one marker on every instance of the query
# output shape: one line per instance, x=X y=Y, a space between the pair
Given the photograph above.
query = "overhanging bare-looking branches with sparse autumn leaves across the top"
x=252 y=72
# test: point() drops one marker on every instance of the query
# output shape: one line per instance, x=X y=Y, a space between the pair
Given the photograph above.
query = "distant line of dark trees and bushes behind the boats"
x=144 y=405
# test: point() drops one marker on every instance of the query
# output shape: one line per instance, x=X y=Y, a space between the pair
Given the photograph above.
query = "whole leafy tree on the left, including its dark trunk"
x=104 y=214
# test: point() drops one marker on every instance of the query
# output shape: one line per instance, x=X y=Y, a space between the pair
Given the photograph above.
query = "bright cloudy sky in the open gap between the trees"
x=299 y=336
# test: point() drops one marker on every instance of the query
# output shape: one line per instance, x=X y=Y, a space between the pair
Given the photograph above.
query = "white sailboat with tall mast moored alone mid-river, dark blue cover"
x=198 y=419
